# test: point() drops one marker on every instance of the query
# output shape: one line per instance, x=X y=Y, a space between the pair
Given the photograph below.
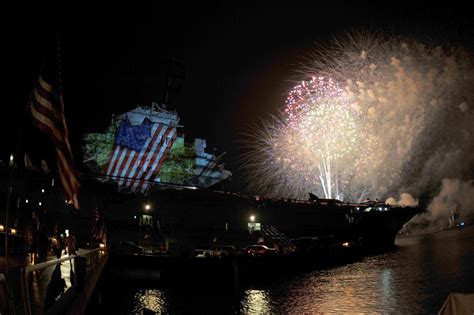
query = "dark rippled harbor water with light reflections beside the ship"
x=414 y=278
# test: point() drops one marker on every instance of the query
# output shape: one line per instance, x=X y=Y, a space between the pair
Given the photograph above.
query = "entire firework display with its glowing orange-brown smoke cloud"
x=378 y=117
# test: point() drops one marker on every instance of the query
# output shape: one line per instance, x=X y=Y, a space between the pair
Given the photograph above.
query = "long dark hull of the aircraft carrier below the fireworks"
x=185 y=220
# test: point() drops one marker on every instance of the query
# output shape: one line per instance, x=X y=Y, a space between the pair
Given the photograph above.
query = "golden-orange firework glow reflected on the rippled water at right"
x=414 y=278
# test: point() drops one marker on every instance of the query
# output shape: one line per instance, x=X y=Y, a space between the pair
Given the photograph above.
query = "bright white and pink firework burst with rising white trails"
x=304 y=148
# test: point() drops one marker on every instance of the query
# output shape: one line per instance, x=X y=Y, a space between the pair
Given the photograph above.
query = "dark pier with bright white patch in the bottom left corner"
x=56 y=286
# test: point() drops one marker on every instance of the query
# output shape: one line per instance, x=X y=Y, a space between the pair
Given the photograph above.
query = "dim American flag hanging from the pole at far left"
x=47 y=112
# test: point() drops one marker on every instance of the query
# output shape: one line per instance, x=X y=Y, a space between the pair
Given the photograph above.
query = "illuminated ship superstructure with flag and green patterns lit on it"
x=142 y=148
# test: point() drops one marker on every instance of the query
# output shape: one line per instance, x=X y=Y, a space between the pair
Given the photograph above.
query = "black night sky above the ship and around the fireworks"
x=240 y=58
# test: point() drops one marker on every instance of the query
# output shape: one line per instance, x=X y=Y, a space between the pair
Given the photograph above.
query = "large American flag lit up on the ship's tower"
x=139 y=153
